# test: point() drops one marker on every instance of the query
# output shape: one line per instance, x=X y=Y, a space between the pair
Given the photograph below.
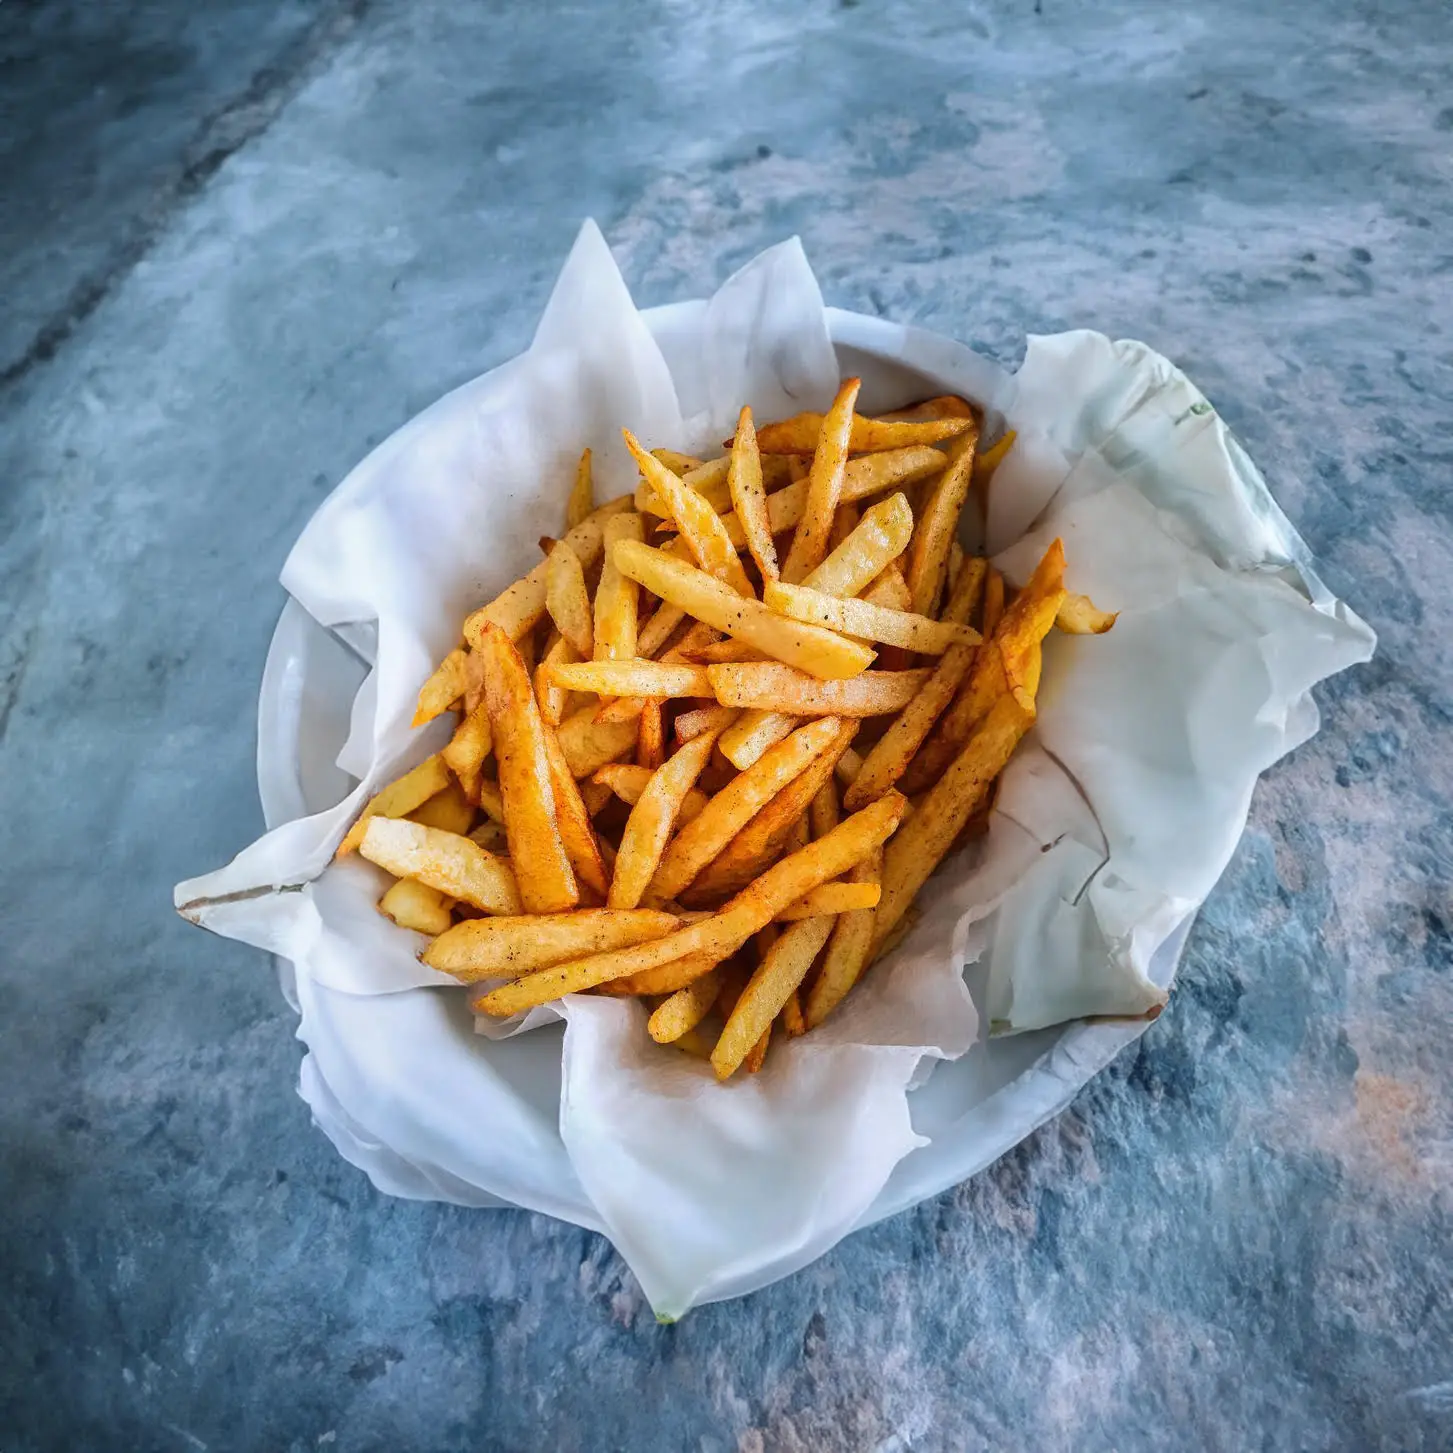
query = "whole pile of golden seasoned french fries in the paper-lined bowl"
x=714 y=771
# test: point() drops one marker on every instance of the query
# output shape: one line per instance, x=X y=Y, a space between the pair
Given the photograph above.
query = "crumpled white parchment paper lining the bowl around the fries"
x=1114 y=823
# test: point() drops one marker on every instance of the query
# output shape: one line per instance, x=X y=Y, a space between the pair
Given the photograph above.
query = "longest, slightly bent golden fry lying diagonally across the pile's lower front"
x=724 y=932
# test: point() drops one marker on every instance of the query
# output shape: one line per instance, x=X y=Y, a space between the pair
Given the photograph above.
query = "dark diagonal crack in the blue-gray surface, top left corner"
x=219 y=137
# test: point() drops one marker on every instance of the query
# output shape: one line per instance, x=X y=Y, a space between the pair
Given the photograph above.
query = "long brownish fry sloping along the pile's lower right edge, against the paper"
x=929 y=835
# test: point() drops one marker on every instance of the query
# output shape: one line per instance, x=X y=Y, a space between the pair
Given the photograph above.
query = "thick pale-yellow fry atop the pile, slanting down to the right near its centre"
x=814 y=650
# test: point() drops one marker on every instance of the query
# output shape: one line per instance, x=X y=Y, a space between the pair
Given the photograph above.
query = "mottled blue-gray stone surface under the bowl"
x=240 y=243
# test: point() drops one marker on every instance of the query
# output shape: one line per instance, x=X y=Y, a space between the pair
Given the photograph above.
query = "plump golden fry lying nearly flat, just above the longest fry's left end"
x=506 y=948
